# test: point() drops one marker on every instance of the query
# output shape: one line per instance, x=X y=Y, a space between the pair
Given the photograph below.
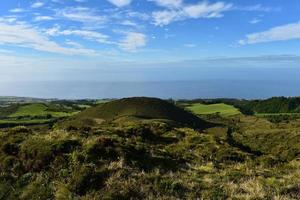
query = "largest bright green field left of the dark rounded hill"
x=37 y=110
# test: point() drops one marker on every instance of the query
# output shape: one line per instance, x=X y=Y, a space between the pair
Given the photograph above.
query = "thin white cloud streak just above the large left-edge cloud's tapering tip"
x=90 y=35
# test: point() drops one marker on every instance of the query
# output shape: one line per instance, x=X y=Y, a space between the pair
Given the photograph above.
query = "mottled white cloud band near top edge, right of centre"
x=200 y=10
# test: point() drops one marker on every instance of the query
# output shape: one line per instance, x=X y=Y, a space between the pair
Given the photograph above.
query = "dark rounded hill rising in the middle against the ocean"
x=141 y=108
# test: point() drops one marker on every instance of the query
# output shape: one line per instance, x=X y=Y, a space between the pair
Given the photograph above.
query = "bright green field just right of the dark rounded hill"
x=221 y=108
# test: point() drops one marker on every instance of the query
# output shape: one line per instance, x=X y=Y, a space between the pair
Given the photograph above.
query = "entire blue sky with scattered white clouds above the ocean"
x=136 y=40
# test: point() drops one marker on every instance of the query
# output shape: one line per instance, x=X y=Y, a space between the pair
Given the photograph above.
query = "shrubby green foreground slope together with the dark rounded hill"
x=119 y=151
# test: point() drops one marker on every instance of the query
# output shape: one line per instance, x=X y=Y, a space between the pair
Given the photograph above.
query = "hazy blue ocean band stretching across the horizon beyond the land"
x=242 y=89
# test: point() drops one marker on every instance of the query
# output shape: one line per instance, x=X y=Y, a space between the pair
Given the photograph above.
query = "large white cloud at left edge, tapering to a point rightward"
x=24 y=35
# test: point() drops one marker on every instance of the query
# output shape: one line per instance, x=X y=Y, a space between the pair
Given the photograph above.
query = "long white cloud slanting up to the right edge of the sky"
x=279 y=33
